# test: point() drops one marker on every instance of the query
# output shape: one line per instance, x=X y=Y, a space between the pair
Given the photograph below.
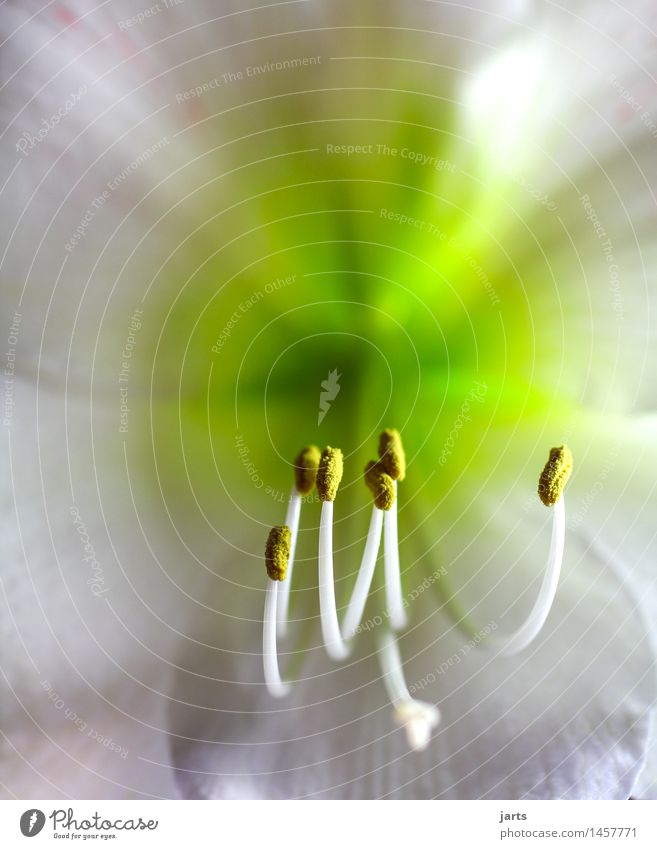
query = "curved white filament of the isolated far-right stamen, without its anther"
x=531 y=627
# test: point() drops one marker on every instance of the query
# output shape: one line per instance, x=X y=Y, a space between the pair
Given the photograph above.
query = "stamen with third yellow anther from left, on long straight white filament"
x=328 y=481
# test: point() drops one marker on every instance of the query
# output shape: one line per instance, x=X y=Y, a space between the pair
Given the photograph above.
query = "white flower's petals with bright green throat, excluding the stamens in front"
x=207 y=210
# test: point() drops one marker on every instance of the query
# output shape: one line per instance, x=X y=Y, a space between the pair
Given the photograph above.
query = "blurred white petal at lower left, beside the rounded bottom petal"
x=96 y=600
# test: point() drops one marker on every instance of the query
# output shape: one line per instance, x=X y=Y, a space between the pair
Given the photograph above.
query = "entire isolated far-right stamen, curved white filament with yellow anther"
x=555 y=476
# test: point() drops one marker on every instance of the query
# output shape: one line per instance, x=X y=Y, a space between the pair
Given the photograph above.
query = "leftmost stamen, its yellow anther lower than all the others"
x=277 y=552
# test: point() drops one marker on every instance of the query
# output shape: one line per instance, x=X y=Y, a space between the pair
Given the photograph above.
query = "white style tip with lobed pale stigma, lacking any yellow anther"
x=418 y=718
